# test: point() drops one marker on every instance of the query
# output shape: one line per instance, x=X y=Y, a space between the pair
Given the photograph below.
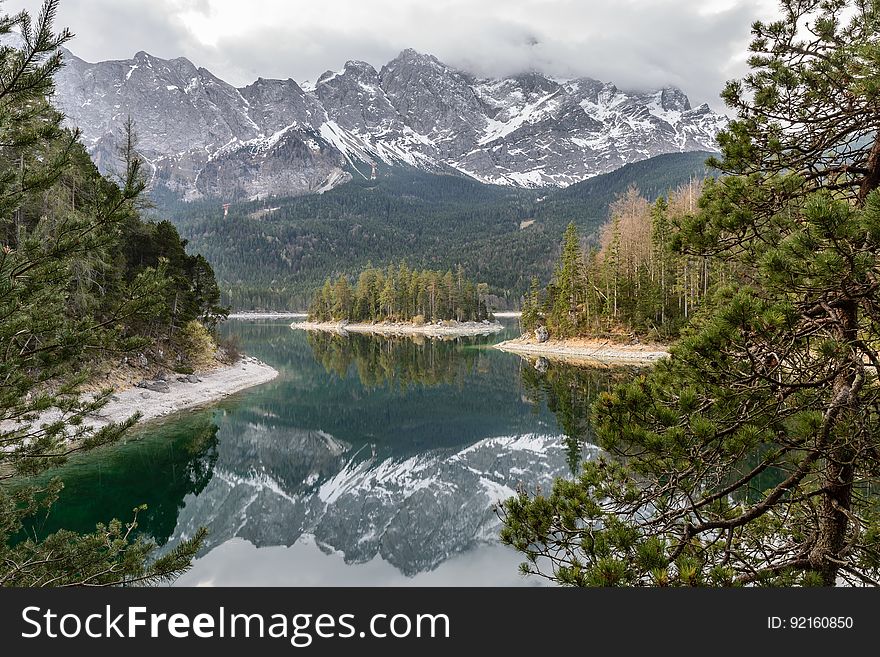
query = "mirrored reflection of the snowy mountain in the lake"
x=414 y=512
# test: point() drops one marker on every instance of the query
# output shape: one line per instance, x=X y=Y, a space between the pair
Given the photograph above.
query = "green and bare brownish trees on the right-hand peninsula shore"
x=637 y=283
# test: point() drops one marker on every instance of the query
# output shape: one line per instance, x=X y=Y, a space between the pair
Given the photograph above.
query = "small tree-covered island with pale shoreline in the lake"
x=402 y=301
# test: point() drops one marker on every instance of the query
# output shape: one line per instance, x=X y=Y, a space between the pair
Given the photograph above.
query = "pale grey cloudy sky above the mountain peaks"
x=637 y=44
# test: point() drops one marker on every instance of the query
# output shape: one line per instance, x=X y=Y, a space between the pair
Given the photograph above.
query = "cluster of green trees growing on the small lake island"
x=401 y=294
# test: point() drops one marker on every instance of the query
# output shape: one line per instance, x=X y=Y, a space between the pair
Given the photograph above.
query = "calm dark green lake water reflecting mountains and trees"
x=368 y=461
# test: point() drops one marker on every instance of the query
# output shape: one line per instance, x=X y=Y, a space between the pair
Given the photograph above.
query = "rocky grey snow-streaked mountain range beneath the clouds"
x=205 y=138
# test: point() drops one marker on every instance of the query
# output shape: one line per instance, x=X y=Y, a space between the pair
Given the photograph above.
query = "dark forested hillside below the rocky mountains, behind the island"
x=274 y=254
